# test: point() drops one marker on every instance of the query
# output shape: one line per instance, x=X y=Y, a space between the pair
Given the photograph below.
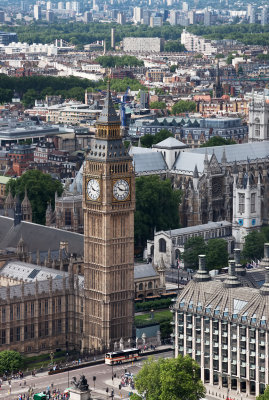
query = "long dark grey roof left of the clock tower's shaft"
x=37 y=236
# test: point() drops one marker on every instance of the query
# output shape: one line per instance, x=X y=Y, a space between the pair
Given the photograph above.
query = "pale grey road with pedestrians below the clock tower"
x=102 y=372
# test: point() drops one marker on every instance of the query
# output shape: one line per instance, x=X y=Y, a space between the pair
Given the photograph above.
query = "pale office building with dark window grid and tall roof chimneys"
x=223 y=325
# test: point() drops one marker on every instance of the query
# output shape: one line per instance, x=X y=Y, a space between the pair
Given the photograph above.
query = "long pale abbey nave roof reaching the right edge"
x=237 y=152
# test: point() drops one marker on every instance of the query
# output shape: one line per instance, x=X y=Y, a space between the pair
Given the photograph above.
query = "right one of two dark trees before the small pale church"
x=216 y=254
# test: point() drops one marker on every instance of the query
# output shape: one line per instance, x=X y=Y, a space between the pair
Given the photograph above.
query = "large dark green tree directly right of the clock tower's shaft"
x=156 y=207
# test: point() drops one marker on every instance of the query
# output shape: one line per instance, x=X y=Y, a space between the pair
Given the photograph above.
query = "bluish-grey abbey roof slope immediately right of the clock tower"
x=149 y=162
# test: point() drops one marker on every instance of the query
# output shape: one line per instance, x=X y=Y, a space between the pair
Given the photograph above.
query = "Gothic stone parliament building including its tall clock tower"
x=55 y=306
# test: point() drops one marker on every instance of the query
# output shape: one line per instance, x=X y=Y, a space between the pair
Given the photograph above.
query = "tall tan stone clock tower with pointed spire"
x=108 y=203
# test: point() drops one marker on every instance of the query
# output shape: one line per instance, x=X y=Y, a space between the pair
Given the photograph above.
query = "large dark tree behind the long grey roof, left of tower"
x=41 y=190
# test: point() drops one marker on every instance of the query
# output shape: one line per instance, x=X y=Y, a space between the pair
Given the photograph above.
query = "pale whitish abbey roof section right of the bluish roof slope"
x=187 y=161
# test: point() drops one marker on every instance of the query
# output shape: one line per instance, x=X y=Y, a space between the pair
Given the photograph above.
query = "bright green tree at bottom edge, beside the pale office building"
x=171 y=378
